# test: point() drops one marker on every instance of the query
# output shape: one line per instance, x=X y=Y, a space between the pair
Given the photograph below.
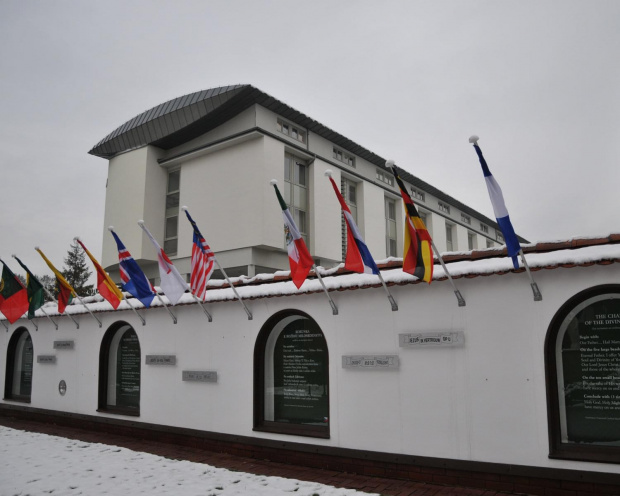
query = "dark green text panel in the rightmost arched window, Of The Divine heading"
x=591 y=373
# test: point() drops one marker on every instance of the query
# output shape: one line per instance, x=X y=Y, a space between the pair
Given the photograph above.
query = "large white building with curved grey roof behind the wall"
x=215 y=151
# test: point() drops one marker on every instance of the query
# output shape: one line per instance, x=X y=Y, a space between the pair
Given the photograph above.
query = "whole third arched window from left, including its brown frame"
x=291 y=376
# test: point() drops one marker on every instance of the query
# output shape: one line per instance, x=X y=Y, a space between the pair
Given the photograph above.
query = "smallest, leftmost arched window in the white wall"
x=19 y=359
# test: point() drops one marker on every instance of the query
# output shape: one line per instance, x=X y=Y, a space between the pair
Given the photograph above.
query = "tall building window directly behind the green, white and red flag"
x=296 y=191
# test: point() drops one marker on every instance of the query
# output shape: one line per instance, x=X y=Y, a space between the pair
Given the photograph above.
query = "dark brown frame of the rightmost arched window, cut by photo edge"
x=557 y=448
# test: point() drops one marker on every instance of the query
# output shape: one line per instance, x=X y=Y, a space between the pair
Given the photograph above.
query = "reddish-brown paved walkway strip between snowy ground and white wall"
x=384 y=486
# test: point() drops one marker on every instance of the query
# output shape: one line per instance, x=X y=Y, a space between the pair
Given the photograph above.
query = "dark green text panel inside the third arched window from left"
x=301 y=375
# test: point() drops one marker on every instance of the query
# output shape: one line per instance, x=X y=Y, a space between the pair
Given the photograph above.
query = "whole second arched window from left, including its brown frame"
x=119 y=371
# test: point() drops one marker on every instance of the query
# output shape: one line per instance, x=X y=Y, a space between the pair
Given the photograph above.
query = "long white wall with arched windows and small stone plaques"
x=483 y=401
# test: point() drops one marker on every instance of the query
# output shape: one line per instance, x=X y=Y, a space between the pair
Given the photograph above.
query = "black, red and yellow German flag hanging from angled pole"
x=418 y=250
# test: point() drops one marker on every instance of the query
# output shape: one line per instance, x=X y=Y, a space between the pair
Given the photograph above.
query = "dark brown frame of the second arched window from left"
x=104 y=370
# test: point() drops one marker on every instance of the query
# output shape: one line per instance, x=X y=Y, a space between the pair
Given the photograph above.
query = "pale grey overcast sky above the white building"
x=538 y=81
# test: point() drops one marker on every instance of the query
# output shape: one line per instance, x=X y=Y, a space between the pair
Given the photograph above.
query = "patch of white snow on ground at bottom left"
x=37 y=464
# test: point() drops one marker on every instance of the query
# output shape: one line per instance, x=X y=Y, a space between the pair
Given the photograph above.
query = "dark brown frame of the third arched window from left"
x=260 y=346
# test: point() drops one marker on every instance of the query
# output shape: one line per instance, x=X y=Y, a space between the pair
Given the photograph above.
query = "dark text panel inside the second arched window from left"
x=128 y=371
